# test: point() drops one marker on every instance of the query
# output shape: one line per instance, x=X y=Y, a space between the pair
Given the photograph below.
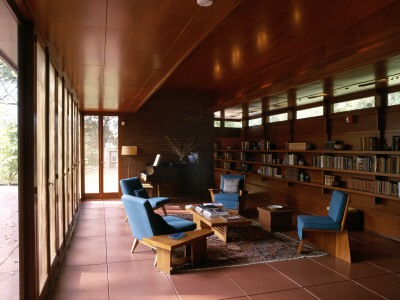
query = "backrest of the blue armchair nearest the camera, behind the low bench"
x=143 y=220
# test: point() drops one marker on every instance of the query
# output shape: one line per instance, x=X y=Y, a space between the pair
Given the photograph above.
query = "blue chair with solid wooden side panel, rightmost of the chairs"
x=328 y=232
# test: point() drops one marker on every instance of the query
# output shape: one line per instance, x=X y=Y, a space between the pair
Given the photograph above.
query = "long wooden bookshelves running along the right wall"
x=346 y=175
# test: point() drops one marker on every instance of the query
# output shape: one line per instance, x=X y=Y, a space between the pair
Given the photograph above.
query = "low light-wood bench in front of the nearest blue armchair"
x=195 y=252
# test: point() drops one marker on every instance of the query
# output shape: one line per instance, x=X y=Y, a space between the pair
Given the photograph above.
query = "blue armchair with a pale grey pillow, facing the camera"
x=232 y=192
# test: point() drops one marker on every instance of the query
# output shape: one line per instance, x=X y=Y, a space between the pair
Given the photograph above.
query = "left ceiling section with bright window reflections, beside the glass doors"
x=117 y=53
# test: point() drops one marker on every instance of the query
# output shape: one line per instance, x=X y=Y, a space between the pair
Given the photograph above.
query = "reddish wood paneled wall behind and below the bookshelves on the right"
x=381 y=218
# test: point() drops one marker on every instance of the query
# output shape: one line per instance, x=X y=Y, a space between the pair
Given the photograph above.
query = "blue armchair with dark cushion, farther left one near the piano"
x=133 y=187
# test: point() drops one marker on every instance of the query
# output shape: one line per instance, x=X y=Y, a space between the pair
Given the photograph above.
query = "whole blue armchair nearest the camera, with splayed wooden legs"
x=144 y=222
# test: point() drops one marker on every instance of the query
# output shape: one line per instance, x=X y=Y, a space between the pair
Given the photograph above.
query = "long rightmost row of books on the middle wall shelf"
x=358 y=163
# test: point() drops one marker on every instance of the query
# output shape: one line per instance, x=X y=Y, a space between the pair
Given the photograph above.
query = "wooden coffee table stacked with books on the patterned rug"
x=216 y=224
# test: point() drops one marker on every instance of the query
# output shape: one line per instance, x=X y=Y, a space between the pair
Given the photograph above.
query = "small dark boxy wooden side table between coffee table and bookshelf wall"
x=275 y=219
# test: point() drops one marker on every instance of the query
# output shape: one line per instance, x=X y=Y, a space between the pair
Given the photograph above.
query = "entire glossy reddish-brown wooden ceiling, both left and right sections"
x=117 y=53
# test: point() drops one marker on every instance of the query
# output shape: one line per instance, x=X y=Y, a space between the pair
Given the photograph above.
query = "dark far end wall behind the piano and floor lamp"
x=177 y=115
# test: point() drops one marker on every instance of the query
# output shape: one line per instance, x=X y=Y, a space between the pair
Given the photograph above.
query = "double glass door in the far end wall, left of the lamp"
x=101 y=140
